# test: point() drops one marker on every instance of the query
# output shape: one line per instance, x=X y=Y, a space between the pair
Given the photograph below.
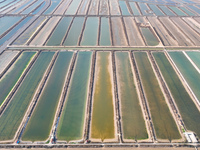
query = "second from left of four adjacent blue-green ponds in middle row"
x=74 y=32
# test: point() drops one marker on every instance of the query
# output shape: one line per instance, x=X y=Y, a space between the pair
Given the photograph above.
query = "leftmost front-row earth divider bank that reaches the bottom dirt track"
x=35 y=99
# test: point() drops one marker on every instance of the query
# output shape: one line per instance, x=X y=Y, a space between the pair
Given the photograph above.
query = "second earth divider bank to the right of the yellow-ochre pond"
x=145 y=107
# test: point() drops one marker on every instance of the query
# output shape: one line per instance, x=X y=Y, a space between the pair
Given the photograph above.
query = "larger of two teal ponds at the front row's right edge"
x=188 y=71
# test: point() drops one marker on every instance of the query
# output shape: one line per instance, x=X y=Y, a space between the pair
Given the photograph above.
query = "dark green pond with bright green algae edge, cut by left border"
x=13 y=74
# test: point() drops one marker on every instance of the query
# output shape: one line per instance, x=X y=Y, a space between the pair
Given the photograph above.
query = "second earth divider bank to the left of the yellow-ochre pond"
x=63 y=96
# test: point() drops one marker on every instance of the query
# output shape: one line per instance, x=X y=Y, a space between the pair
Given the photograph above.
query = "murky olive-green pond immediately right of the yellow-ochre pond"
x=132 y=119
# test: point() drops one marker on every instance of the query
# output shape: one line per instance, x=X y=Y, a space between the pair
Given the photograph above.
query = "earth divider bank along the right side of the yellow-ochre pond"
x=117 y=103
